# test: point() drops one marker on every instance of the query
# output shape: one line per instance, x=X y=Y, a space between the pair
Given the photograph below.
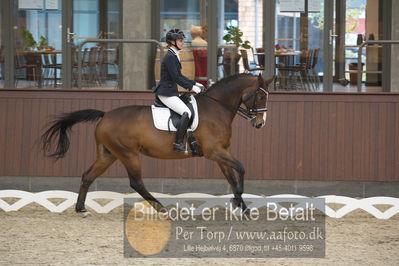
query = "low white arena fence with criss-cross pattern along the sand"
x=116 y=199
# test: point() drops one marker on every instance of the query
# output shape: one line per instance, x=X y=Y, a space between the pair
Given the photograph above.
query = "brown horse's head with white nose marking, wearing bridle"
x=255 y=100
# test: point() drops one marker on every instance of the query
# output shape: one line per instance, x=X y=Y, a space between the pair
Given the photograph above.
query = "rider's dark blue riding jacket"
x=171 y=76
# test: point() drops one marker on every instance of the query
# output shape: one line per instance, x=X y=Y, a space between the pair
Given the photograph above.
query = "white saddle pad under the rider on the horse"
x=161 y=115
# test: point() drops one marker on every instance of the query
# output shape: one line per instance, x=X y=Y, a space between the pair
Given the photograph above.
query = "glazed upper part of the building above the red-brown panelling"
x=334 y=28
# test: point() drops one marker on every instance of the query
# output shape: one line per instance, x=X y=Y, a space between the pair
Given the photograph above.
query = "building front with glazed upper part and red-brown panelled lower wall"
x=323 y=125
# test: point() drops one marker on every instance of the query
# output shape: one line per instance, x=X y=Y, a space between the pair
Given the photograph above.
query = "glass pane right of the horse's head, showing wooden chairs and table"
x=303 y=45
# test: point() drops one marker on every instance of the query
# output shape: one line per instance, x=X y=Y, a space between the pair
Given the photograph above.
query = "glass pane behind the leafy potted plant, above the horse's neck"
x=239 y=37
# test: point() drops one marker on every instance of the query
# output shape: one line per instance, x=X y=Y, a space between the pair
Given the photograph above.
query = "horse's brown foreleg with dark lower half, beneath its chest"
x=227 y=164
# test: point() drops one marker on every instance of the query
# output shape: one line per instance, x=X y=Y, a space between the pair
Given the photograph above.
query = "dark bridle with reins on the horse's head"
x=249 y=114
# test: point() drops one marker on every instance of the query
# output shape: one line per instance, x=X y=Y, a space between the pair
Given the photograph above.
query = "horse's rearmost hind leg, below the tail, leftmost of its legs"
x=103 y=161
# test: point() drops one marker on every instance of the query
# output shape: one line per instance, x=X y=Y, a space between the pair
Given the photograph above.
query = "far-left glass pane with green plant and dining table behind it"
x=37 y=27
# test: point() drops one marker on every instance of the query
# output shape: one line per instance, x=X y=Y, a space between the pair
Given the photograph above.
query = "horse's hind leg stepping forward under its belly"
x=132 y=164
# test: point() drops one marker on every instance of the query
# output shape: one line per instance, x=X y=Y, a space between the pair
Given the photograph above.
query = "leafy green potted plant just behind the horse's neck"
x=233 y=37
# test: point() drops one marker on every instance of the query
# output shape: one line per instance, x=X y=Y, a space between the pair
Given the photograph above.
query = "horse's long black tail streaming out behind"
x=61 y=125
